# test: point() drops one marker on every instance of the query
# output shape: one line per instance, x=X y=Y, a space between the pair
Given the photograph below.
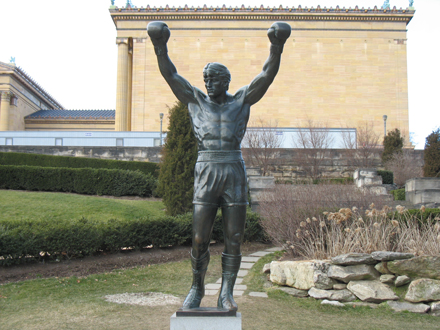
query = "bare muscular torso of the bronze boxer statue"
x=219 y=127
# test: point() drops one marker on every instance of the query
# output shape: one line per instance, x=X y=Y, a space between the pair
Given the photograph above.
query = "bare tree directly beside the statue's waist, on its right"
x=261 y=143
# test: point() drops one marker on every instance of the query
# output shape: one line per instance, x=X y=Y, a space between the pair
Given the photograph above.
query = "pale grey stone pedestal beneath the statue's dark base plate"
x=205 y=322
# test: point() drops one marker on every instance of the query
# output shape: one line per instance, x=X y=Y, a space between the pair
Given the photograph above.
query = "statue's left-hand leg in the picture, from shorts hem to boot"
x=203 y=221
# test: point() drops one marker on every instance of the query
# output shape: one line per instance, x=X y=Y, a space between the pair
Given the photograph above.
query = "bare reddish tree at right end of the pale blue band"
x=362 y=148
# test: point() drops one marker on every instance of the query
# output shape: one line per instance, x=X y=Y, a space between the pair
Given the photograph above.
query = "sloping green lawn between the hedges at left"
x=37 y=205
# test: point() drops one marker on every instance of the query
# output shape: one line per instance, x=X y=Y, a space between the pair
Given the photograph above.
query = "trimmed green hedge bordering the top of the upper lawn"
x=88 y=181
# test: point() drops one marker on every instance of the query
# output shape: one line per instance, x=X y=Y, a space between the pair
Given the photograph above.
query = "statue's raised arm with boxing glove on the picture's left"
x=159 y=34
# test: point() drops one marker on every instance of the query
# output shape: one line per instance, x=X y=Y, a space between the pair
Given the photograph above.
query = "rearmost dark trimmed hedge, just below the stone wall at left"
x=16 y=158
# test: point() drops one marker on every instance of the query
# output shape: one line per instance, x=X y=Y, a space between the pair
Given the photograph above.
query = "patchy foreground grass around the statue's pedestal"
x=78 y=303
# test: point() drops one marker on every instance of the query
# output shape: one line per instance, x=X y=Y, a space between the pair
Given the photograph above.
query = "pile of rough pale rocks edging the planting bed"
x=367 y=277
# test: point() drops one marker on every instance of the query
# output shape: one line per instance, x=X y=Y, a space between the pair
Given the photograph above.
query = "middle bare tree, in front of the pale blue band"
x=313 y=142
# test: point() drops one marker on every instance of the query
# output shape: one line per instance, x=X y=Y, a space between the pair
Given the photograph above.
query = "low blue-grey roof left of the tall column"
x=72 y=114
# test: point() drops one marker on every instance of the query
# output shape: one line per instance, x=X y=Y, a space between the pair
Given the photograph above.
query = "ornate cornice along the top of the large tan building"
x=260 y=13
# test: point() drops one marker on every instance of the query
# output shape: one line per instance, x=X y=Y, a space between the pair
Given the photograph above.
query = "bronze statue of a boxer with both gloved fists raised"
x=219 y=122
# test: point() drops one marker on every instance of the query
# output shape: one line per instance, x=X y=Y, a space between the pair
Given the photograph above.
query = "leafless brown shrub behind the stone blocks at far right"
x=405 y=165
